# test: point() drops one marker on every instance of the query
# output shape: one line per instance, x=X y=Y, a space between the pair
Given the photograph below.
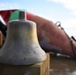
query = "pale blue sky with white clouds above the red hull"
x=54 y=10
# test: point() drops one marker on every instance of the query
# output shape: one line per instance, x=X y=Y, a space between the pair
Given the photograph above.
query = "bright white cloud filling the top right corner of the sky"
x=69 y=4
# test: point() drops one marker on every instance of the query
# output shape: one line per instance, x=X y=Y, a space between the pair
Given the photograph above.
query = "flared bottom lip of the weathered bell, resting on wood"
x=30 y=61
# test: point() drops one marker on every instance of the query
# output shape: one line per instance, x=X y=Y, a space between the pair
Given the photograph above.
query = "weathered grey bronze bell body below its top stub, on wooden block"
x=21 y=46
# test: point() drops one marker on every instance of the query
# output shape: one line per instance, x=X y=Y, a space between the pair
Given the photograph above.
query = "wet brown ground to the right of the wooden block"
x=60 y=65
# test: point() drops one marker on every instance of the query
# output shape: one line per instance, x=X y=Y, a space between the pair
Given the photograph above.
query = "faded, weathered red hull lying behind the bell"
x=52 y=38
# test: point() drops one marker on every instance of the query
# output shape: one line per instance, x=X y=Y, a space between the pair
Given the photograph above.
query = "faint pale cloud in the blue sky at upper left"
x=5 y=6
